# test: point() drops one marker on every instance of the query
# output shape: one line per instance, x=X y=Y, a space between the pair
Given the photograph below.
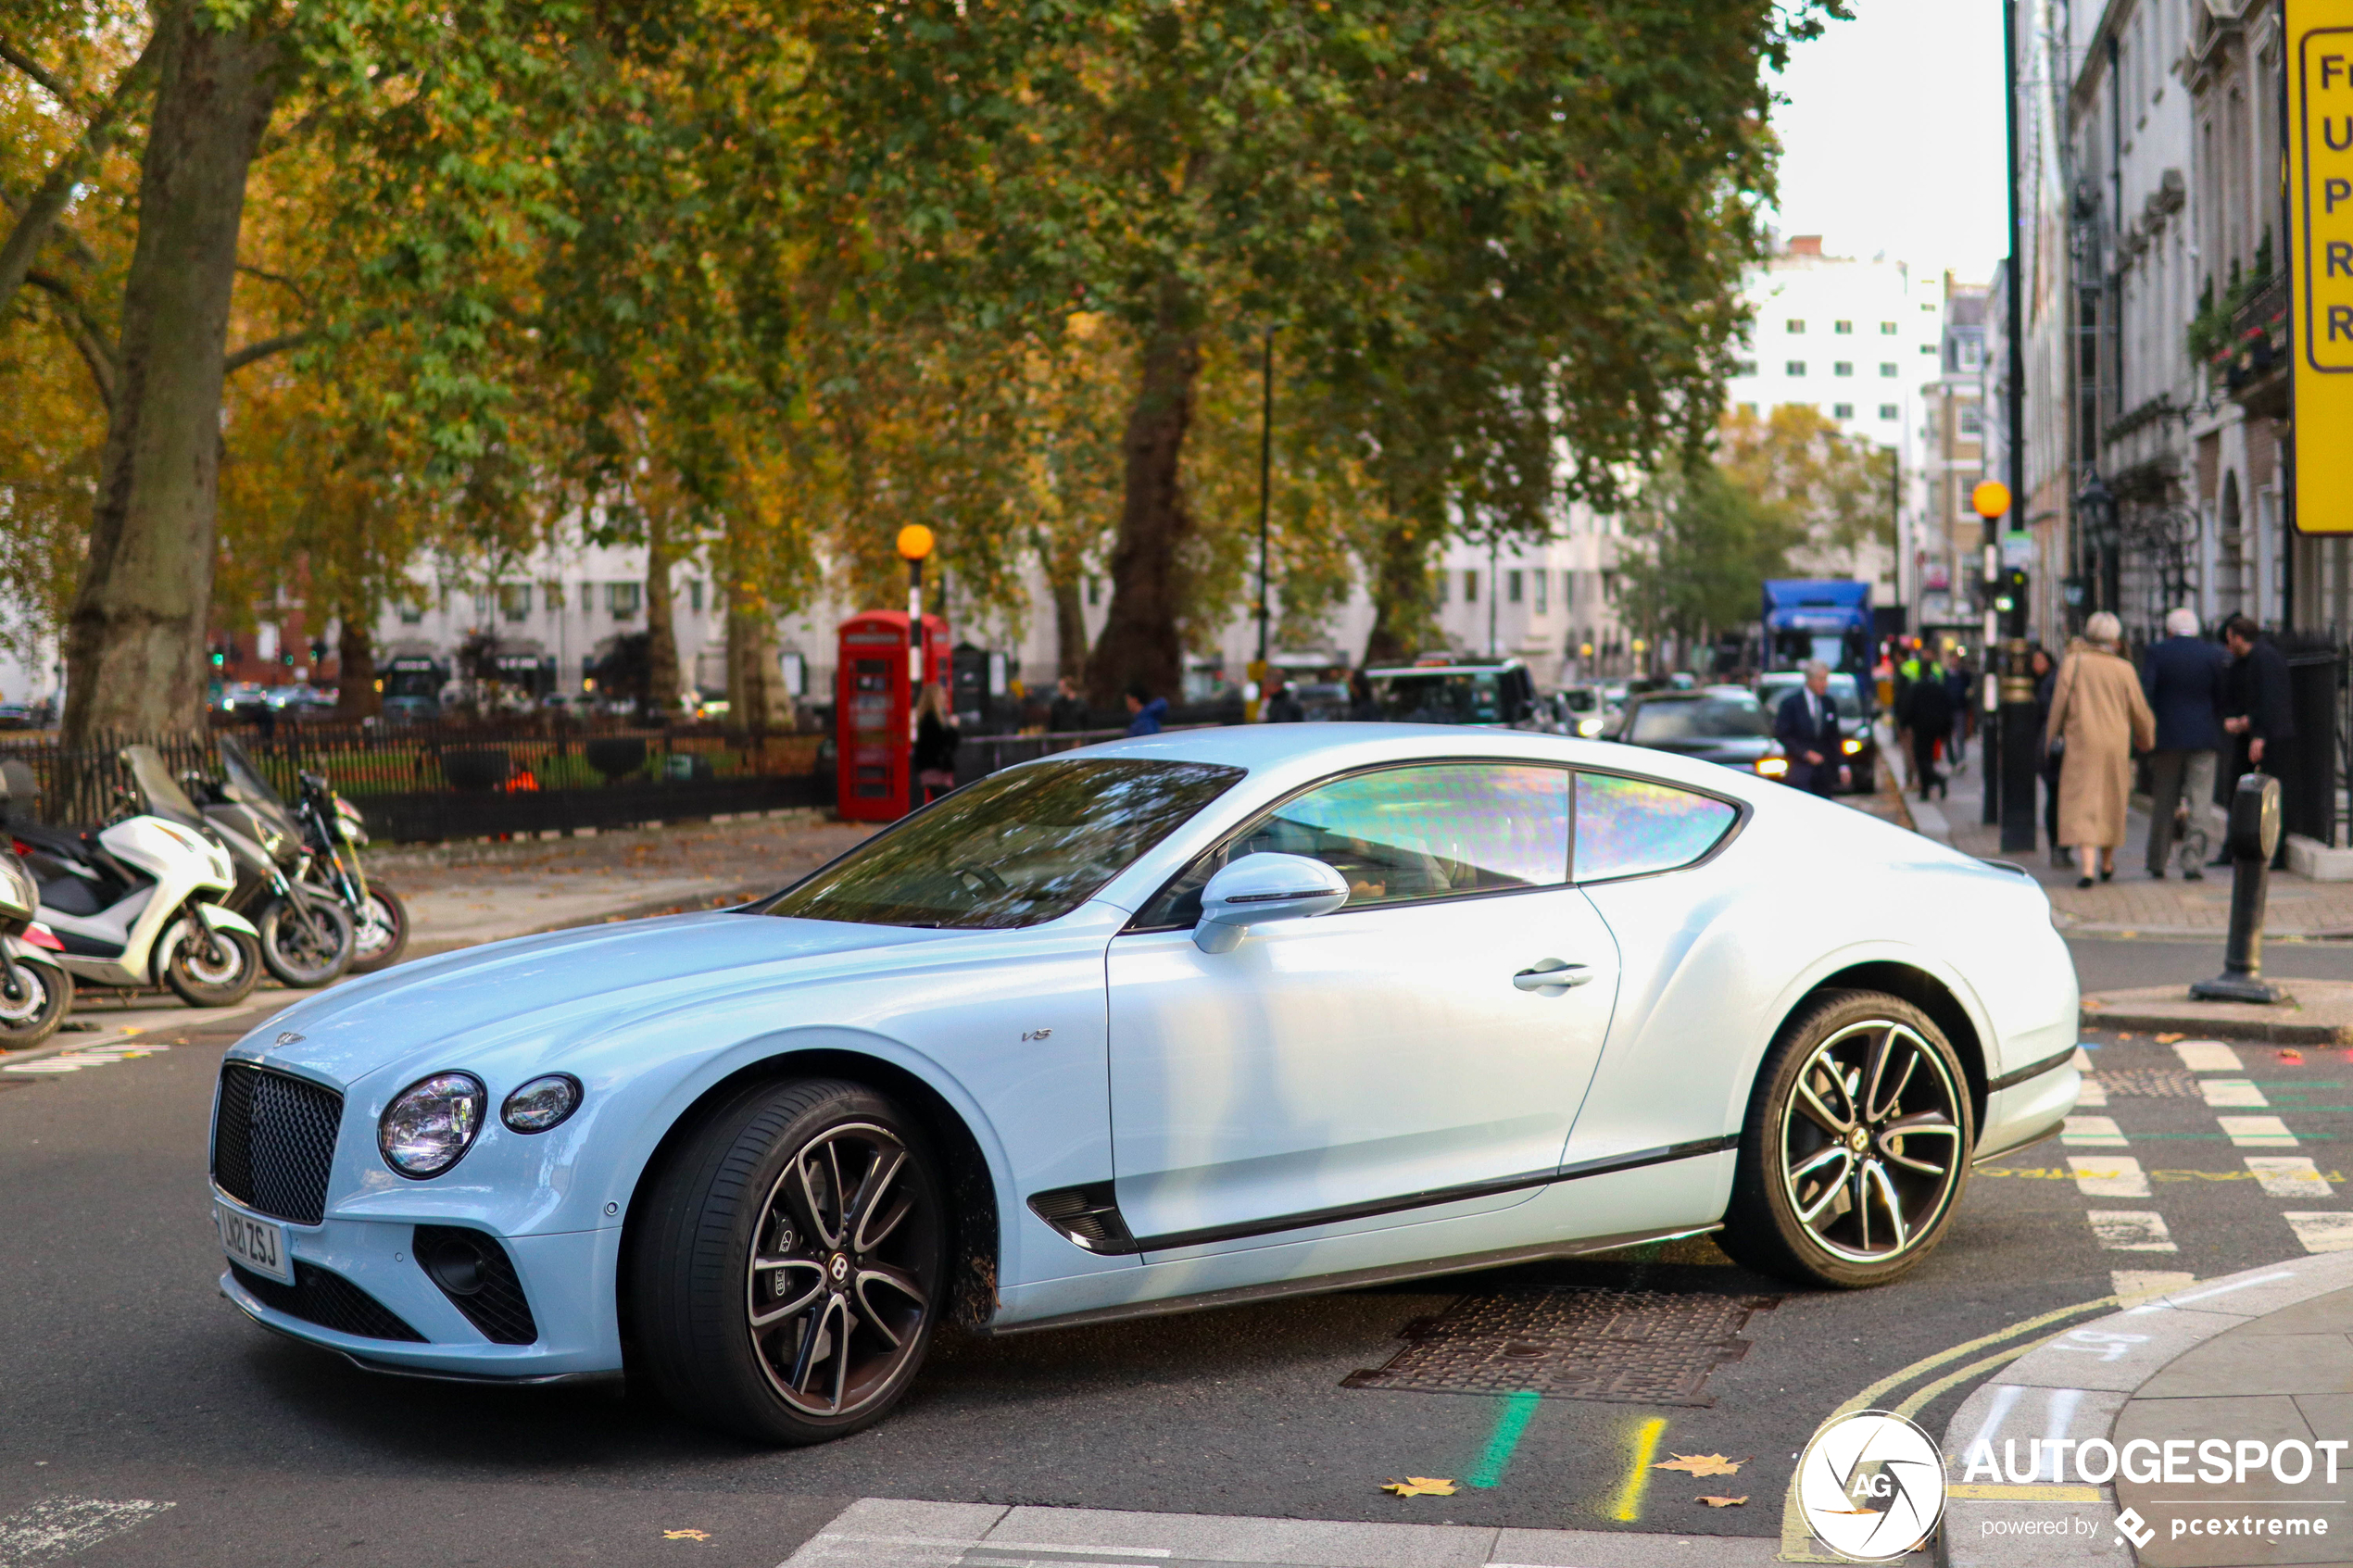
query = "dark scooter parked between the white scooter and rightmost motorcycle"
x=307 y=937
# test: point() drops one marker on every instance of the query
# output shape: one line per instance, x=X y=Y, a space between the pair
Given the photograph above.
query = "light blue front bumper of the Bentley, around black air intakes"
x=568 y=1280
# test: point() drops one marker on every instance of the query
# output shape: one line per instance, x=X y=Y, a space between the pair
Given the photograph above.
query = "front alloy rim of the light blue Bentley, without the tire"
x=841 y=1271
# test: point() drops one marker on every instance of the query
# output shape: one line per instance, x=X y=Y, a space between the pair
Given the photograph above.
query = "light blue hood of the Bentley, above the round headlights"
x=587 y=981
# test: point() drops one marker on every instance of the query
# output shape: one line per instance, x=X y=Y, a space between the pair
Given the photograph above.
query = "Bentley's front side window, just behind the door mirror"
x=1406 y=833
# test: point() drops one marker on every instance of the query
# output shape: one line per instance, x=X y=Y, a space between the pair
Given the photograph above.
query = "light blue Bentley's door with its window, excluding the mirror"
x=1375 y=1064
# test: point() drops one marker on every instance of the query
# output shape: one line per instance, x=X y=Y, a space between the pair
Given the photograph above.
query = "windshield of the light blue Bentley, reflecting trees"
x=1013 y=850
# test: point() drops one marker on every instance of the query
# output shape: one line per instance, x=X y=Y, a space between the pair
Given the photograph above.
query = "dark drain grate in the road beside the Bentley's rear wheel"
x=1578 y=1343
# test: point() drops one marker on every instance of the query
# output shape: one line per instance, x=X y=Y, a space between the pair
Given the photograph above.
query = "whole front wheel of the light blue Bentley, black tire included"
x=782 y=1174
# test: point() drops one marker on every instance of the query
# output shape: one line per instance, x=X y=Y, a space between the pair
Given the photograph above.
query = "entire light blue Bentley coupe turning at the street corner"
x=1149 y=1026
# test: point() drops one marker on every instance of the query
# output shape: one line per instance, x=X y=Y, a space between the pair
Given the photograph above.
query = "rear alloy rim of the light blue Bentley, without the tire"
x=1872 y=1141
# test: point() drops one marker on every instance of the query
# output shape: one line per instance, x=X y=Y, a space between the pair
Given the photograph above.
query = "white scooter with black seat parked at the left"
x=138 y=902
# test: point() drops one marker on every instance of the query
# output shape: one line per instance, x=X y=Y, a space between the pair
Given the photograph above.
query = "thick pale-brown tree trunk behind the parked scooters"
x=135 y=641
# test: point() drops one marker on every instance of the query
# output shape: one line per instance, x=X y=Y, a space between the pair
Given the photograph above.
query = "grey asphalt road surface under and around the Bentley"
x=126 y=1379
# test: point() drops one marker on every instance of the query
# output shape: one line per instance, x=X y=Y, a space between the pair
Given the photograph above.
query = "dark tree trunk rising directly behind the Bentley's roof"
x=1140 y=643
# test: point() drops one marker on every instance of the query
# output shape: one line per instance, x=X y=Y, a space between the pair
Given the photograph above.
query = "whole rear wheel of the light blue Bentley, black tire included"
x=1827 y=1191
